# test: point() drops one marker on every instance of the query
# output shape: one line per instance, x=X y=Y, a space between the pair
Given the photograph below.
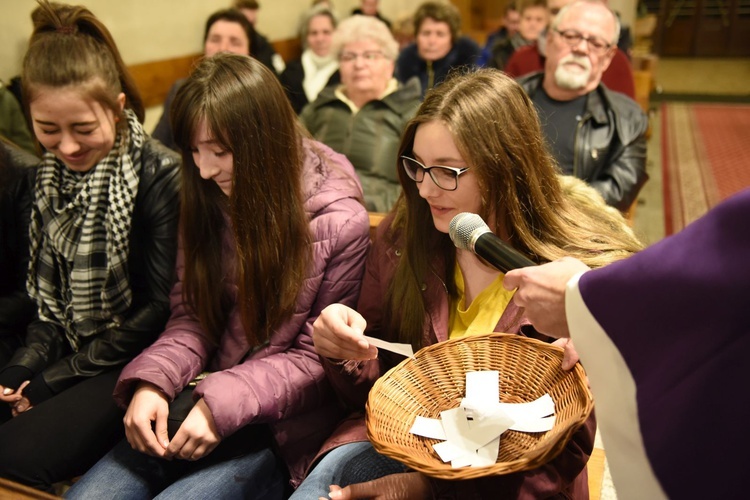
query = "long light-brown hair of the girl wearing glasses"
x=495 y=128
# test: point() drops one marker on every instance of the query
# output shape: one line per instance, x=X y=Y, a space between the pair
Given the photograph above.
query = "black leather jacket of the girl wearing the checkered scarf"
x=153 y=248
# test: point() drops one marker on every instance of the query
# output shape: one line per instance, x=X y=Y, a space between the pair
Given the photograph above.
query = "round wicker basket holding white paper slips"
x=434 y=380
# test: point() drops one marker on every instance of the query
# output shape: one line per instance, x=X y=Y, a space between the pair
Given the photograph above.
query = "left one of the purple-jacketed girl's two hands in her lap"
x=149 y=405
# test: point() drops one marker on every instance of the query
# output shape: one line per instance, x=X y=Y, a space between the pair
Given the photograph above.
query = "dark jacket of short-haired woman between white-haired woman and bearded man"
x=465 y=51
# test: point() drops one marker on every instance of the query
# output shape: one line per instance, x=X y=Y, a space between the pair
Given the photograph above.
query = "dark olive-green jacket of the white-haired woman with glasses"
x=369 y=138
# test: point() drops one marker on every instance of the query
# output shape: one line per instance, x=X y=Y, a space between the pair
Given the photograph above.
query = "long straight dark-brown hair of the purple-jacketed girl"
x=246 y=111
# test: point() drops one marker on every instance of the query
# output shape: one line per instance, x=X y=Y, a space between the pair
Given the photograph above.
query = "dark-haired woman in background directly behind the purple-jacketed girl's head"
x=227 y=30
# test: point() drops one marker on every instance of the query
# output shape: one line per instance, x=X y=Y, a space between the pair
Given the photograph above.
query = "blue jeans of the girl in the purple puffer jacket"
x=126 y=474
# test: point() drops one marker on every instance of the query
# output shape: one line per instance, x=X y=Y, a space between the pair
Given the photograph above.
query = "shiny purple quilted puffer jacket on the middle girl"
x=282 y=383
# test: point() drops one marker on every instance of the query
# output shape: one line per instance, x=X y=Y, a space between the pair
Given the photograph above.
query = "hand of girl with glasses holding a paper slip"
x=338 y=333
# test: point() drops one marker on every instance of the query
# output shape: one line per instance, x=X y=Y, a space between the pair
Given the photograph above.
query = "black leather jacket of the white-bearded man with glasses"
x=610 y=147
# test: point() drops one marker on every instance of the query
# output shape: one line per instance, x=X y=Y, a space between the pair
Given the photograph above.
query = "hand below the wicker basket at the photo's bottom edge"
x=407 y=486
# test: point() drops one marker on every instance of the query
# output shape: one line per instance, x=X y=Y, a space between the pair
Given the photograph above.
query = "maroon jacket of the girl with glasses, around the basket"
x=563 y=477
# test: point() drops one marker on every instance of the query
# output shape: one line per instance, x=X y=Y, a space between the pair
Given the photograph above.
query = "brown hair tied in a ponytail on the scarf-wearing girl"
x=70 y=46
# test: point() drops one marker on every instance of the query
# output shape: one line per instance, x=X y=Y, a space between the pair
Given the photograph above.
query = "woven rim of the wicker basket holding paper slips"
x=553 y=441
